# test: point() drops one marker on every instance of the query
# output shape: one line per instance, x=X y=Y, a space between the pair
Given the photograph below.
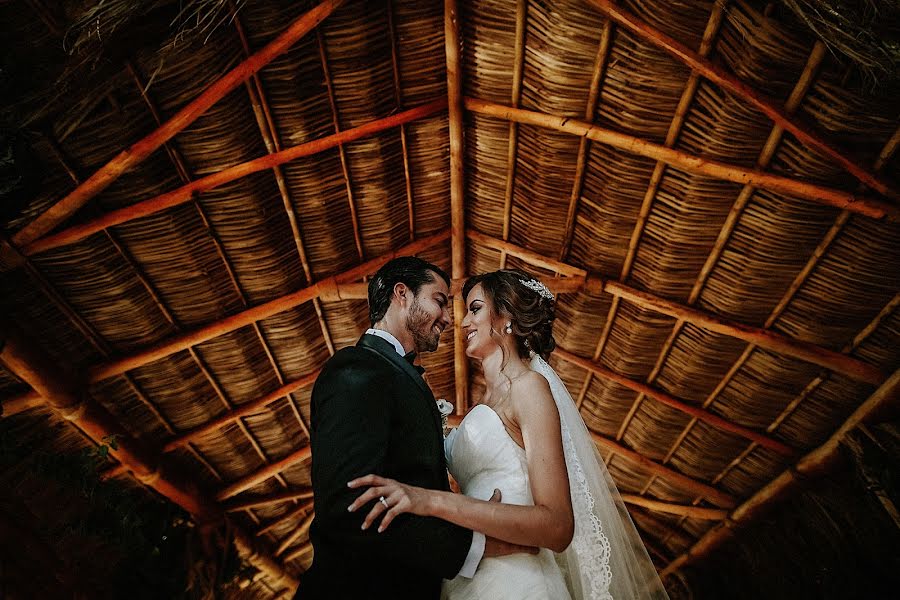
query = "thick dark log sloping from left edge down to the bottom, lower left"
x=62 y=394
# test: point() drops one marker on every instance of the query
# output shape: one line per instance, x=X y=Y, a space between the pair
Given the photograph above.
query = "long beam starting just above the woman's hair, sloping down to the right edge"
x=764 y=338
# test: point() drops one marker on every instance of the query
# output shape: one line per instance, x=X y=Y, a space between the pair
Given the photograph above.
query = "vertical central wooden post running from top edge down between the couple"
x=457 y=197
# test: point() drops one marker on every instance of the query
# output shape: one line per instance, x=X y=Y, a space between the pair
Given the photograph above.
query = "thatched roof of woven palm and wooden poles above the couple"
x=198 y=190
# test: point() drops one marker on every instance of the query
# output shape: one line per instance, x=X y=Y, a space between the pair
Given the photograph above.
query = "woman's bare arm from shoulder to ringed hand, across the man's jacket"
x=548 y=524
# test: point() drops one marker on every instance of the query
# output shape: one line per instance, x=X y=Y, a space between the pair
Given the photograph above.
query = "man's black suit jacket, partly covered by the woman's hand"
x=371 y=412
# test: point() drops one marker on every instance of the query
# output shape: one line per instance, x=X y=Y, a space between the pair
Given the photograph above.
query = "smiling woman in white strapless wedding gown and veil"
x=527 y=439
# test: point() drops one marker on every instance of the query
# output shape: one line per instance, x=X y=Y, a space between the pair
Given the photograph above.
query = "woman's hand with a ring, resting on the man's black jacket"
x=393 y=499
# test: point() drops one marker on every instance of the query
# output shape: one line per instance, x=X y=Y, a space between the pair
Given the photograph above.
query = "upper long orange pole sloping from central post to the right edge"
x=864 y=205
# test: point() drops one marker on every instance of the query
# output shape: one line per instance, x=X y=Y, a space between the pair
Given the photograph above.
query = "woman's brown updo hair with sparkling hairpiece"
x=517 y=297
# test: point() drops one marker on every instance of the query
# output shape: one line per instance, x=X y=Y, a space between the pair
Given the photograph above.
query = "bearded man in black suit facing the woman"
x=373 y=413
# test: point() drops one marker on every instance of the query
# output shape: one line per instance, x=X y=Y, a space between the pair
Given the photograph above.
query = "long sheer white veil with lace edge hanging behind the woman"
x=606 y=559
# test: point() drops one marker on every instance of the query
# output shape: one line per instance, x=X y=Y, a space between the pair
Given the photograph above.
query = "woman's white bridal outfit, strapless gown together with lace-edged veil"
x=606 y=559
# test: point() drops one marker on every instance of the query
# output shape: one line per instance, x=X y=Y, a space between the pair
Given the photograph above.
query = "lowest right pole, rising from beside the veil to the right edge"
x=790 y=482
